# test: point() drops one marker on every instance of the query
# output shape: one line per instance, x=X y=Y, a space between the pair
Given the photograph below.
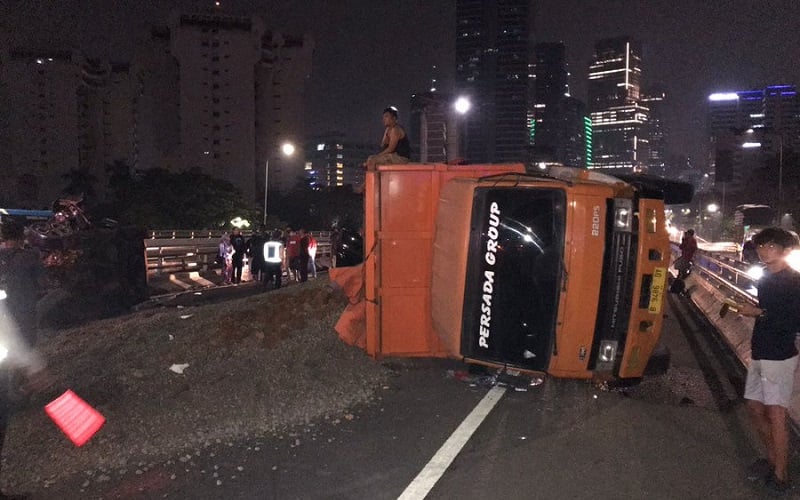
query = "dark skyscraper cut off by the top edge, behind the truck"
x=492 y=59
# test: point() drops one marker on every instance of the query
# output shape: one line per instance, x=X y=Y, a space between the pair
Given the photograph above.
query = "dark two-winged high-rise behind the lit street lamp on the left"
x=241 y=98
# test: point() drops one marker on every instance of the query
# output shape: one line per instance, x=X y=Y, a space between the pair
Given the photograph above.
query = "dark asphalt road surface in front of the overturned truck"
x=433 y=435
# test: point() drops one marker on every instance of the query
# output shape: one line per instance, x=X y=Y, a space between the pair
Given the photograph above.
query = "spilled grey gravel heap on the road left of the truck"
x=256 y=366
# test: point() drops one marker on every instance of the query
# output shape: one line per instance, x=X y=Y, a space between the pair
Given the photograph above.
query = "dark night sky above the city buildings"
x=372 y=53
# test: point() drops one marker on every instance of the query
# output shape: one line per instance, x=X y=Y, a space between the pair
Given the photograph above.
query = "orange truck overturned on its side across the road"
x=562 y=271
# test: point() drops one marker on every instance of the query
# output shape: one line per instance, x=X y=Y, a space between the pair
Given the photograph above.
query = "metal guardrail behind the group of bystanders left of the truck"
x=185 y=251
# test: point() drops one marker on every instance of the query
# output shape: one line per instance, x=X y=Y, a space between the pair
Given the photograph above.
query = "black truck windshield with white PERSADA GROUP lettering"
x=514 y=275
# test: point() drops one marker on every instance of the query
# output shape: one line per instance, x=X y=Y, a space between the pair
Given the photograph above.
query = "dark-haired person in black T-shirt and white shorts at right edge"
x=770 y=376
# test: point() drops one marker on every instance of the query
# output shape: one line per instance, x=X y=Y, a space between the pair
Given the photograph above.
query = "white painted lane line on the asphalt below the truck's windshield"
x=434 y=470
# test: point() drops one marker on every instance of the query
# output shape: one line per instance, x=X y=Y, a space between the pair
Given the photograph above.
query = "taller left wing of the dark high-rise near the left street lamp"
x=217 y=56
